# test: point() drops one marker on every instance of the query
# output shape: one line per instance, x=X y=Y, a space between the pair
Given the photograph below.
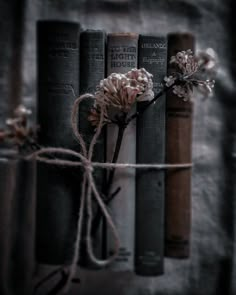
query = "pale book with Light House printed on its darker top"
x=122 y=57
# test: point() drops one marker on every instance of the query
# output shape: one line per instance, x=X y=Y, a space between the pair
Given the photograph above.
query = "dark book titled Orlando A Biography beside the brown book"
x=150 y=186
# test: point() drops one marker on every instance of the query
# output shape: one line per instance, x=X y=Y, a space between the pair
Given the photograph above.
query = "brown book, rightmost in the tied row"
x=178 y=150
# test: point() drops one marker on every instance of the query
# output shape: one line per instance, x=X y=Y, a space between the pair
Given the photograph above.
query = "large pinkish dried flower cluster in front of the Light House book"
x=118 y=93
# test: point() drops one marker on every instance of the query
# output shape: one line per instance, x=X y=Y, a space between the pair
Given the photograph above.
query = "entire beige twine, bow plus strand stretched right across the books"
x=88 y=188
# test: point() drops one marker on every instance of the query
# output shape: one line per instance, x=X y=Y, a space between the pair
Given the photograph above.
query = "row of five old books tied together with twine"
x=152 y=209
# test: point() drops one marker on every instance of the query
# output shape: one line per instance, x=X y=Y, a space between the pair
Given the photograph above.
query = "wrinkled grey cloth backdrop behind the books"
x=212 y=266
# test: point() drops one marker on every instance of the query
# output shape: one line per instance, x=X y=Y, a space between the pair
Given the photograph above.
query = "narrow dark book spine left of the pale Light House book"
x=92 y=70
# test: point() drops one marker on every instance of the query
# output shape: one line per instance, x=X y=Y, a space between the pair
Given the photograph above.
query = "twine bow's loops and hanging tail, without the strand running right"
x=88 y=188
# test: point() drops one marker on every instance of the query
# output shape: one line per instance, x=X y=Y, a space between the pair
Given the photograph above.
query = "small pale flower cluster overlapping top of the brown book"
x=190 y=73
